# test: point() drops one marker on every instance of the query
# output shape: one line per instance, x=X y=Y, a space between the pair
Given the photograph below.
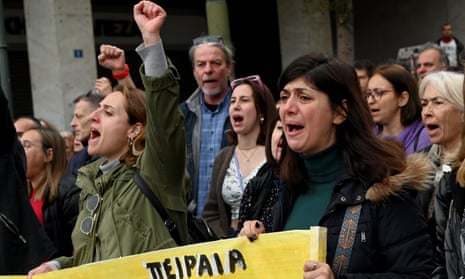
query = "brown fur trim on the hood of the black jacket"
x=418 y=175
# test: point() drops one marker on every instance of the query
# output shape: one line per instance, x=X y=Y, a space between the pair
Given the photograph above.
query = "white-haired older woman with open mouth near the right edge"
x=442 y=113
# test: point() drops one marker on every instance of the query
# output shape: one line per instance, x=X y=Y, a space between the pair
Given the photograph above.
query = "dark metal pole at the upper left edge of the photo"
x=4 y=69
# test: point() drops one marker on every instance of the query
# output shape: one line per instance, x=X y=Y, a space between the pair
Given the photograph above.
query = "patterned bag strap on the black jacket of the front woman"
x=346 y=240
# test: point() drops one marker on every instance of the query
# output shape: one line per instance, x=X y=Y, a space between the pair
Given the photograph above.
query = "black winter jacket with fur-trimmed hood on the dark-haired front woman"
x=392 y=240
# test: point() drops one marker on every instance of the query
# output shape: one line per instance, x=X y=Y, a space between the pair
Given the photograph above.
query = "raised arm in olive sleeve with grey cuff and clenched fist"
x=163 y=159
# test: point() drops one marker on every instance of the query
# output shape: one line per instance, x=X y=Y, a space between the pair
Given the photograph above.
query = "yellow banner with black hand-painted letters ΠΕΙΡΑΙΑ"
x=272 y=255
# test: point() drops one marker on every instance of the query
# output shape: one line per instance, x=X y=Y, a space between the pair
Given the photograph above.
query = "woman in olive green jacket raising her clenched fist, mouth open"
x=132 y=131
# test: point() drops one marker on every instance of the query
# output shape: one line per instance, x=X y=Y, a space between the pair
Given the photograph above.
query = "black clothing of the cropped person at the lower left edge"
x=23 y=242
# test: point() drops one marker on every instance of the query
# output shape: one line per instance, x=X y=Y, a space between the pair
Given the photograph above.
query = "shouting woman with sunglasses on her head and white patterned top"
x=251 y=112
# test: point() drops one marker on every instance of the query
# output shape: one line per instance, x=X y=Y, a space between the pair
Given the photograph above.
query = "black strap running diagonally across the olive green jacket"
x=169 y=223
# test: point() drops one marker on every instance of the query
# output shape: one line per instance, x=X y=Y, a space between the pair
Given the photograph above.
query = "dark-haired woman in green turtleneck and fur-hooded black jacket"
x=357 y=185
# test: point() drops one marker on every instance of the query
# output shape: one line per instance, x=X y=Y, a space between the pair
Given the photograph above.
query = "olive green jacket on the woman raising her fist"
x=125 y=221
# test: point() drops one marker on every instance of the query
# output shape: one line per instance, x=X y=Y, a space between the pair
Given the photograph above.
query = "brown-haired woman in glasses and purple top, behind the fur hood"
x=395 y=107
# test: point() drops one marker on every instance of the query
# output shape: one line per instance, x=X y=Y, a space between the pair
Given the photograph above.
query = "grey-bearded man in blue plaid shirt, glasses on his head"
x=206 y=113
